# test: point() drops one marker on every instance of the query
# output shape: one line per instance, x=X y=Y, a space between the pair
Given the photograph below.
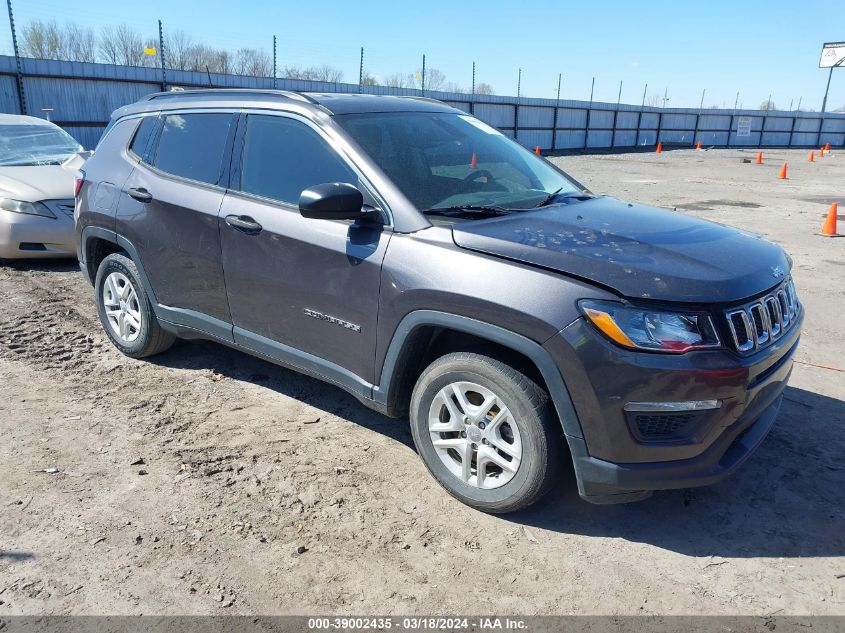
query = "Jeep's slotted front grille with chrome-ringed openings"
x=763 y=321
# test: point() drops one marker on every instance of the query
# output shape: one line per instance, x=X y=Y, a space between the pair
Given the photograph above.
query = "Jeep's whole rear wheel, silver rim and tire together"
x=125 y=311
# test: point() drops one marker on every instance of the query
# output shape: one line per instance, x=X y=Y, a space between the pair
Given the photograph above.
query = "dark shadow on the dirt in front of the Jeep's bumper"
x=785 y=501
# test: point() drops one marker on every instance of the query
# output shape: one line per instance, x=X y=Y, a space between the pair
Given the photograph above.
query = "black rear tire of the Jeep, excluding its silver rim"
x=151 y=338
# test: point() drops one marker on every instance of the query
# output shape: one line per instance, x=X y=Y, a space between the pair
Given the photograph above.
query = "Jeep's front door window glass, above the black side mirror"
x=281 y=157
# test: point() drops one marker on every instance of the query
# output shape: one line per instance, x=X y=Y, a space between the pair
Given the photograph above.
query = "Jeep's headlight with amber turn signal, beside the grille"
x=653 y=330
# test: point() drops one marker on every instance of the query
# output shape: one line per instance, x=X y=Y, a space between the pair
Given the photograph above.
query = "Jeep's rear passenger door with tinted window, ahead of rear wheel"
x=170 y=213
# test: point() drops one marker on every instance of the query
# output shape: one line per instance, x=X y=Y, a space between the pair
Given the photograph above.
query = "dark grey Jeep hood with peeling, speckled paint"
x=636 y=250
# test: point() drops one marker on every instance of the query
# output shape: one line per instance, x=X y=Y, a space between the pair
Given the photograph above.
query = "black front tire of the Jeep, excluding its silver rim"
x=532 y=412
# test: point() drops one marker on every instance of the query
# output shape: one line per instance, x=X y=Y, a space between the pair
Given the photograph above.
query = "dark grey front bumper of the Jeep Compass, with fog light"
x=661 y=421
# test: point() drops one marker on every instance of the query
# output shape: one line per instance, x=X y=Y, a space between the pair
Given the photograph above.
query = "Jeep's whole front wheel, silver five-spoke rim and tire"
x=486 y=432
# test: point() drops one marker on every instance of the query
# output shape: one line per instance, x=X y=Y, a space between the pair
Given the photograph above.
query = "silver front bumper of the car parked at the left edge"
x=33 y=236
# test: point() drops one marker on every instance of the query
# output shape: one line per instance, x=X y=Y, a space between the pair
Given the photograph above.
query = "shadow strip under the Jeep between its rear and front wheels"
x=321 y=395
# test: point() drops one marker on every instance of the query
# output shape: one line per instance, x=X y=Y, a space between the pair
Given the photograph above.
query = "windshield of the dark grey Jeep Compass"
x=442 y=160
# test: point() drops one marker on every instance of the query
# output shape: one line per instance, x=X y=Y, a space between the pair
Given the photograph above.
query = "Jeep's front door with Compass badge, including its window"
x=297 y=286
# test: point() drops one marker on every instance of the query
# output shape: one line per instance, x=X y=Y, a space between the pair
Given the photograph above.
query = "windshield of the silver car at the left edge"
x=27 y=144
